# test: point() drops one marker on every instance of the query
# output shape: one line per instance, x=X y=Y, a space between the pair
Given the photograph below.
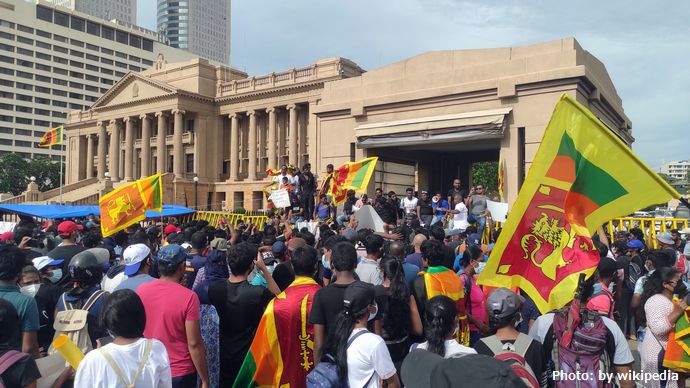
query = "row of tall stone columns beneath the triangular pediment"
x=114 y=129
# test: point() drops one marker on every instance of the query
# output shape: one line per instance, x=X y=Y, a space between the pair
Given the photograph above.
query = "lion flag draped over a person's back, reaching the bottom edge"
x=282 y=353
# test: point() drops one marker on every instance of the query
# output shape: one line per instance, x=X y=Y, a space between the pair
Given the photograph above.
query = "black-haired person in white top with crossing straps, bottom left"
x=129 y=359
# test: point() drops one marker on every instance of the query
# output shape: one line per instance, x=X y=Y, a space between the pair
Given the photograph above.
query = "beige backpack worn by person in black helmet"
x=73 y=322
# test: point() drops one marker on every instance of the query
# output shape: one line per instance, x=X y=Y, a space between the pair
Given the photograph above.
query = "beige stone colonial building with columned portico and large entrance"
x=427 y=118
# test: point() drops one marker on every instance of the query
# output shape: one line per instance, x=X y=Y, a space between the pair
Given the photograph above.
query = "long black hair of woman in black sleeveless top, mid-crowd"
x=396 y=314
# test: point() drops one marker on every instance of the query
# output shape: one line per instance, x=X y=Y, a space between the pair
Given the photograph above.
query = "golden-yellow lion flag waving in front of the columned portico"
x=128 y=204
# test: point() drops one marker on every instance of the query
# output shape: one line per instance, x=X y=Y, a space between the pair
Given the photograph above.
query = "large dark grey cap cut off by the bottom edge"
x=422 y=368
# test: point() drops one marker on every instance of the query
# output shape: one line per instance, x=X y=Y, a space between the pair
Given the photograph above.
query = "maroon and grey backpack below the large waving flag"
x=589 y=353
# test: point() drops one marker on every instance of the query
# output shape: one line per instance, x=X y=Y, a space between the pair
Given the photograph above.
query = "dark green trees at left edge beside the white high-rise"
x=16 y=171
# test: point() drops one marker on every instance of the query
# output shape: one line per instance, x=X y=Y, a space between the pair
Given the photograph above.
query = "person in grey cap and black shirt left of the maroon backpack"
x=504 y=307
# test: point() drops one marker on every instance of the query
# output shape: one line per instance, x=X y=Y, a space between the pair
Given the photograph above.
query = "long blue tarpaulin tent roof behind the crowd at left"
x=66 y=211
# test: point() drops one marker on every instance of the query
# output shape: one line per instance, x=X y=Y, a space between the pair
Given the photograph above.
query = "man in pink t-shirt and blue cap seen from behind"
x=176 y=323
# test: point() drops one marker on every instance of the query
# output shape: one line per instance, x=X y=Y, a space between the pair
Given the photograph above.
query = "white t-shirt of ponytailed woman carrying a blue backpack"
x=368 y=356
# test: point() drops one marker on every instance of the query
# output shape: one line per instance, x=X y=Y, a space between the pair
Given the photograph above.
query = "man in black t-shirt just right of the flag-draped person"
x=328 y=301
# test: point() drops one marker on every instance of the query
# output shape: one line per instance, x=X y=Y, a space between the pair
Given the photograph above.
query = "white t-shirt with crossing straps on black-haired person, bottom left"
x=95 y=372
